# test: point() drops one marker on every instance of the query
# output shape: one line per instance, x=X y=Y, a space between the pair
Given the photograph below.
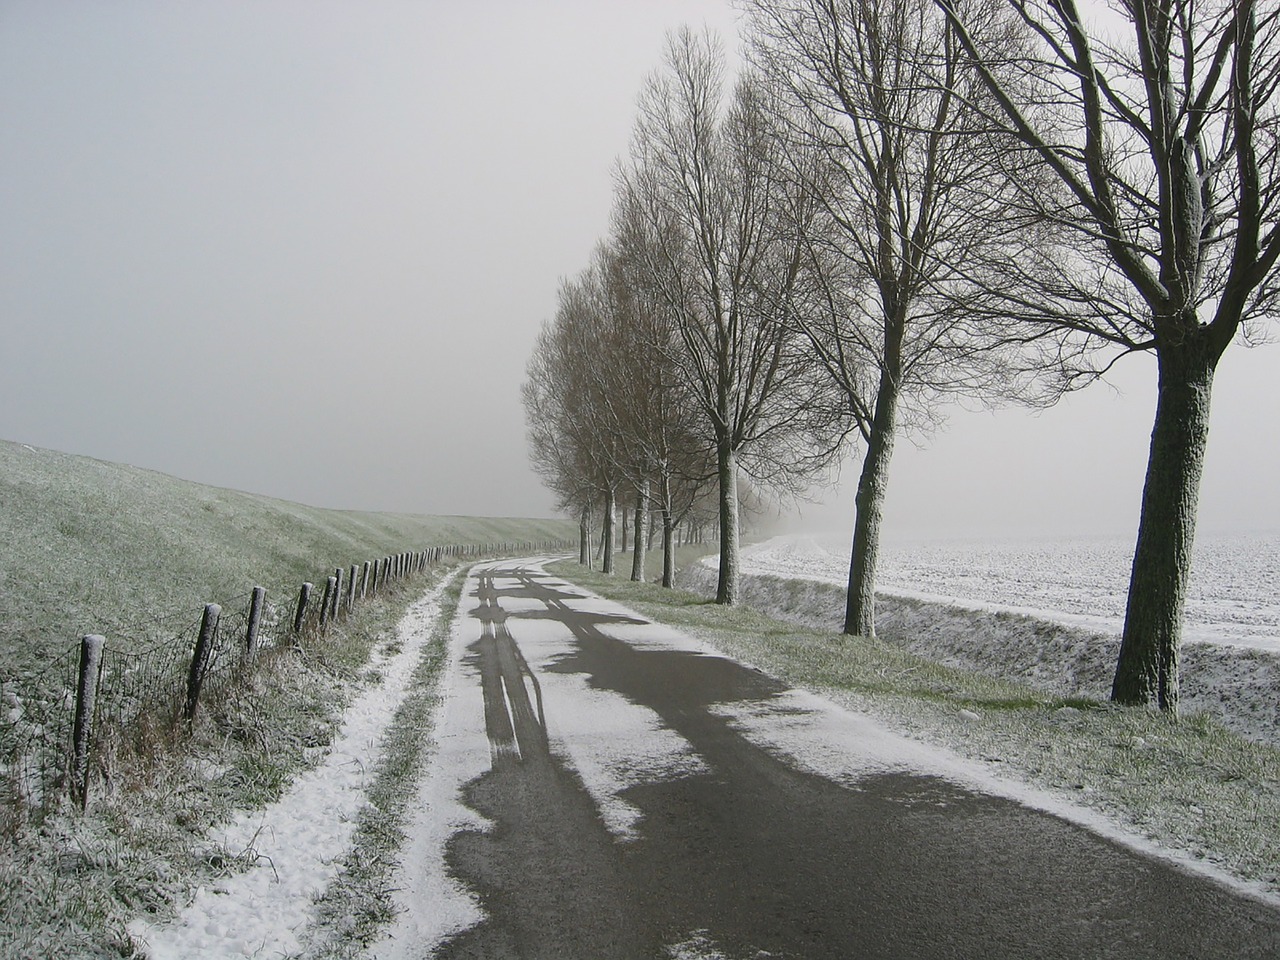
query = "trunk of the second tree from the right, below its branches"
x=861 y=598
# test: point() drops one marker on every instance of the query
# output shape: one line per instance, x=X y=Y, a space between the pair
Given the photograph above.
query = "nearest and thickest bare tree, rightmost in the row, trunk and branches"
x=1164 y=139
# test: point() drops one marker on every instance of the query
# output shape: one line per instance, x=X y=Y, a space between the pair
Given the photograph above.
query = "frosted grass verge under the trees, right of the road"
x=1191 y=787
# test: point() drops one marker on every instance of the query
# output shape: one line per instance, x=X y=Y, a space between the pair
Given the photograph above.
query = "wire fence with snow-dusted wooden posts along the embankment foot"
x=72 y=721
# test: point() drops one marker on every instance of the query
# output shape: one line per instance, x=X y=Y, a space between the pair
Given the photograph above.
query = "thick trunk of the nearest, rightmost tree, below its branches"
x=1148 y=669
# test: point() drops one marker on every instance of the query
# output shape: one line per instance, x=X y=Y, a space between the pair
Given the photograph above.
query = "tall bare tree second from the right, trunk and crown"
x=902 y=188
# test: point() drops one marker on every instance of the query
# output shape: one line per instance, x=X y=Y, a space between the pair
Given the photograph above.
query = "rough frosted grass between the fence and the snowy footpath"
x=72 y=884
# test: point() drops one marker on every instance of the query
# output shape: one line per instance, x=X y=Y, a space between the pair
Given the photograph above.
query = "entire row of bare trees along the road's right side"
x=898 y=204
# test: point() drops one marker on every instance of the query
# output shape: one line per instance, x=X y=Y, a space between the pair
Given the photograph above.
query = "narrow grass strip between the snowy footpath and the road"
x=360 y=902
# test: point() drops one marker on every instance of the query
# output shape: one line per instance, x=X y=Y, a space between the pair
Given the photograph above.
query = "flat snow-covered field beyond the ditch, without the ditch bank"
x=1235 y=595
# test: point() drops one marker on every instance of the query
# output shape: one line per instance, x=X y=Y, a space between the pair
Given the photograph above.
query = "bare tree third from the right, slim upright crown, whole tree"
x=700 y=190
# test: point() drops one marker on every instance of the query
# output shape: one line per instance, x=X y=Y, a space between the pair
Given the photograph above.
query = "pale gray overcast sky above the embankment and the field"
x=304 y=250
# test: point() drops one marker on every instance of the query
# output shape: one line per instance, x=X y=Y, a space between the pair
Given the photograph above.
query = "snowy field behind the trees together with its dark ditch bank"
x=953 y=602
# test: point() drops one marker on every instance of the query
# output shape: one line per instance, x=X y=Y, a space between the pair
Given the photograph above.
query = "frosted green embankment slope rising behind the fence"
x=93 y=547
